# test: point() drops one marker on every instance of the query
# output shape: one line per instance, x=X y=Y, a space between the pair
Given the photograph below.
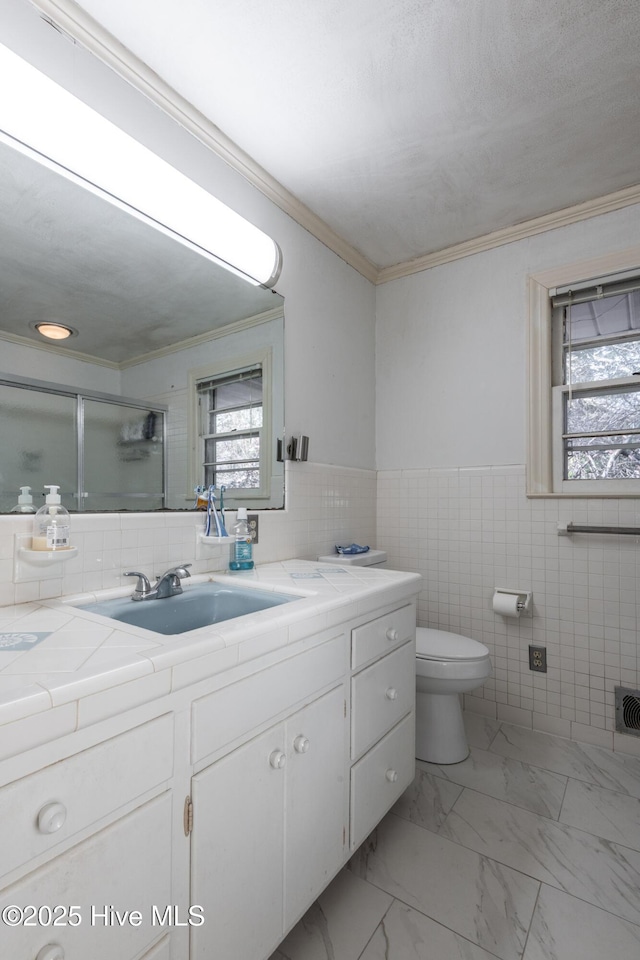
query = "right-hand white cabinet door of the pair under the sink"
x=315 y=825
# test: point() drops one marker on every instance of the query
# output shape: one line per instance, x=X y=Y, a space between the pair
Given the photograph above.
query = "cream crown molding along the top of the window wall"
x=528 y=228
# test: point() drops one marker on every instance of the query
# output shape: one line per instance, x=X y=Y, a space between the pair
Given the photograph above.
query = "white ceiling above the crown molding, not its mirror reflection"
x=409 y=125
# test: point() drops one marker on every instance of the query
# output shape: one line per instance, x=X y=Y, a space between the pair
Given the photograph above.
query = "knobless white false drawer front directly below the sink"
x=242 y=707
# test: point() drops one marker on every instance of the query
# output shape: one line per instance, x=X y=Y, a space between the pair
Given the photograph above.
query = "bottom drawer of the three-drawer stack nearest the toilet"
x=374 y=788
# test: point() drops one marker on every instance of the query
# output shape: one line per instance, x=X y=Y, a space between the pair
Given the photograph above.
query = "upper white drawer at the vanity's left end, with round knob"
x=51 y=806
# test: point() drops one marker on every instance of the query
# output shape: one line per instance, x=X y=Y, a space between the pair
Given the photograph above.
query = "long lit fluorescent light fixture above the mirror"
x=51 y=125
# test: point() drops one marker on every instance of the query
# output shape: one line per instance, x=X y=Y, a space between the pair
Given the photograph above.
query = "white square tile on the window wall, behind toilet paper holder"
x=468 y=530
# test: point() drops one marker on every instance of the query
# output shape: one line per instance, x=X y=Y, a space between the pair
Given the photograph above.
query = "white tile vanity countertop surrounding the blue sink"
x=61 y=665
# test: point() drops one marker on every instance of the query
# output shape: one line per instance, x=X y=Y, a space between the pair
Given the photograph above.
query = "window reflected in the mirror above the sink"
x=231 y=429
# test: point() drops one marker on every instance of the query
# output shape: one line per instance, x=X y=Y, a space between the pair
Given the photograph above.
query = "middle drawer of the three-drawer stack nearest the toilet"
x=380 y=695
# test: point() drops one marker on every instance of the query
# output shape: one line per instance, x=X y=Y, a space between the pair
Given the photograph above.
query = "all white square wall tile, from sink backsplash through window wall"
x=466 y=530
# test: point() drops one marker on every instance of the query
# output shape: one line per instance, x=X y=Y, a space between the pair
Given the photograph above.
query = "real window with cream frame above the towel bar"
x=585 y=387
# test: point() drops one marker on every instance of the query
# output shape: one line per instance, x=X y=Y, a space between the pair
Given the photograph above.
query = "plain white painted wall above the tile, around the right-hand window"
x=450 y=346
